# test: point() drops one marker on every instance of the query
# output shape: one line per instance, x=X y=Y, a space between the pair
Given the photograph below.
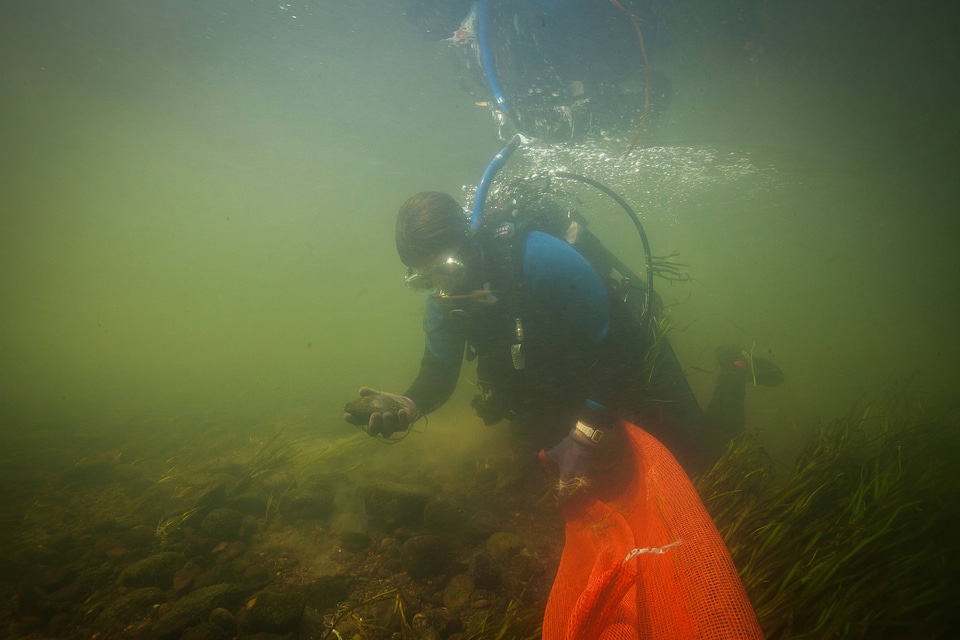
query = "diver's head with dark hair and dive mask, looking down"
x=432 y=231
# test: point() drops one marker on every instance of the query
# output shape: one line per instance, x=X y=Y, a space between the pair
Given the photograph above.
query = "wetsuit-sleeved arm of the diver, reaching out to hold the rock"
x=440 y=365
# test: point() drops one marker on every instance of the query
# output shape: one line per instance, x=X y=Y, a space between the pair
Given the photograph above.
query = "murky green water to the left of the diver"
x=197 y=204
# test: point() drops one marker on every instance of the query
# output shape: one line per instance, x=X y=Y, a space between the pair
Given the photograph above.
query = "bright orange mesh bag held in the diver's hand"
x=644 y=560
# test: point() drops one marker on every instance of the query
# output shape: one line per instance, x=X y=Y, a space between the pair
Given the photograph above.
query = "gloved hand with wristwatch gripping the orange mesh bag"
x=591 y=450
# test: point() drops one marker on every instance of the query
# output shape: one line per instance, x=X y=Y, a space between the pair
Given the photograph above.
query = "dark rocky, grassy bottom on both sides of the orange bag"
x=290 y=538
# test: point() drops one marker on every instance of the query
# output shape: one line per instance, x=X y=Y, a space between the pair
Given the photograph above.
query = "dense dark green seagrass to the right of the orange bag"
x=858 y=541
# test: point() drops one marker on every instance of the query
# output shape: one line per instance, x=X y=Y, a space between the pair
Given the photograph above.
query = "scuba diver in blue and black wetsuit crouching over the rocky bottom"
x=563 y=348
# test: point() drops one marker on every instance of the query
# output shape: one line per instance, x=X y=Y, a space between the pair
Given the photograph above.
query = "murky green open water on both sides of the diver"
x=197 y=203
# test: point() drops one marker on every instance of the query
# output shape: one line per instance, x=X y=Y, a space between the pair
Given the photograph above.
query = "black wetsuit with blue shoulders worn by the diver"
x=579 y=342
